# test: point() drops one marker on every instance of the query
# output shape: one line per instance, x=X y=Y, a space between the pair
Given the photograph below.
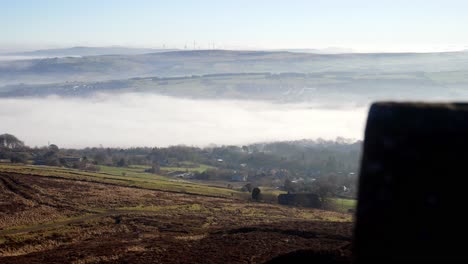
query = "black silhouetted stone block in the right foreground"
x=412 y=185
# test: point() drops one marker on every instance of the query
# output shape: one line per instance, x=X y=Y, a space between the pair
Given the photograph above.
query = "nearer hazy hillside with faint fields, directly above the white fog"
x=329 y=89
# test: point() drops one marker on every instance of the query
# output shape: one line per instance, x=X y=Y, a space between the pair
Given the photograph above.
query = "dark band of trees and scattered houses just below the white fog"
x=296 y=166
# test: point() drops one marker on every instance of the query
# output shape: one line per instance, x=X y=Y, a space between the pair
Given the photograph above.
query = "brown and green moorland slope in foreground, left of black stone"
x=64 y=216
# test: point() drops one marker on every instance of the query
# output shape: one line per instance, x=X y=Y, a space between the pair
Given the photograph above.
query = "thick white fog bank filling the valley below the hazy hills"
x=127 y=120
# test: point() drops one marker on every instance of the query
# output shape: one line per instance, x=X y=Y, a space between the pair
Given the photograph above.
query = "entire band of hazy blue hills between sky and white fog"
x=337 y=79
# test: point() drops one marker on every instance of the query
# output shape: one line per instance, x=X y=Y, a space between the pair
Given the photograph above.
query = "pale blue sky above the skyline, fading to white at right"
x=359 y=24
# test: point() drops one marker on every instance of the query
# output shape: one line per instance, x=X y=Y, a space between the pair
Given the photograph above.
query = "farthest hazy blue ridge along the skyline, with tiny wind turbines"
x=202 y=62
